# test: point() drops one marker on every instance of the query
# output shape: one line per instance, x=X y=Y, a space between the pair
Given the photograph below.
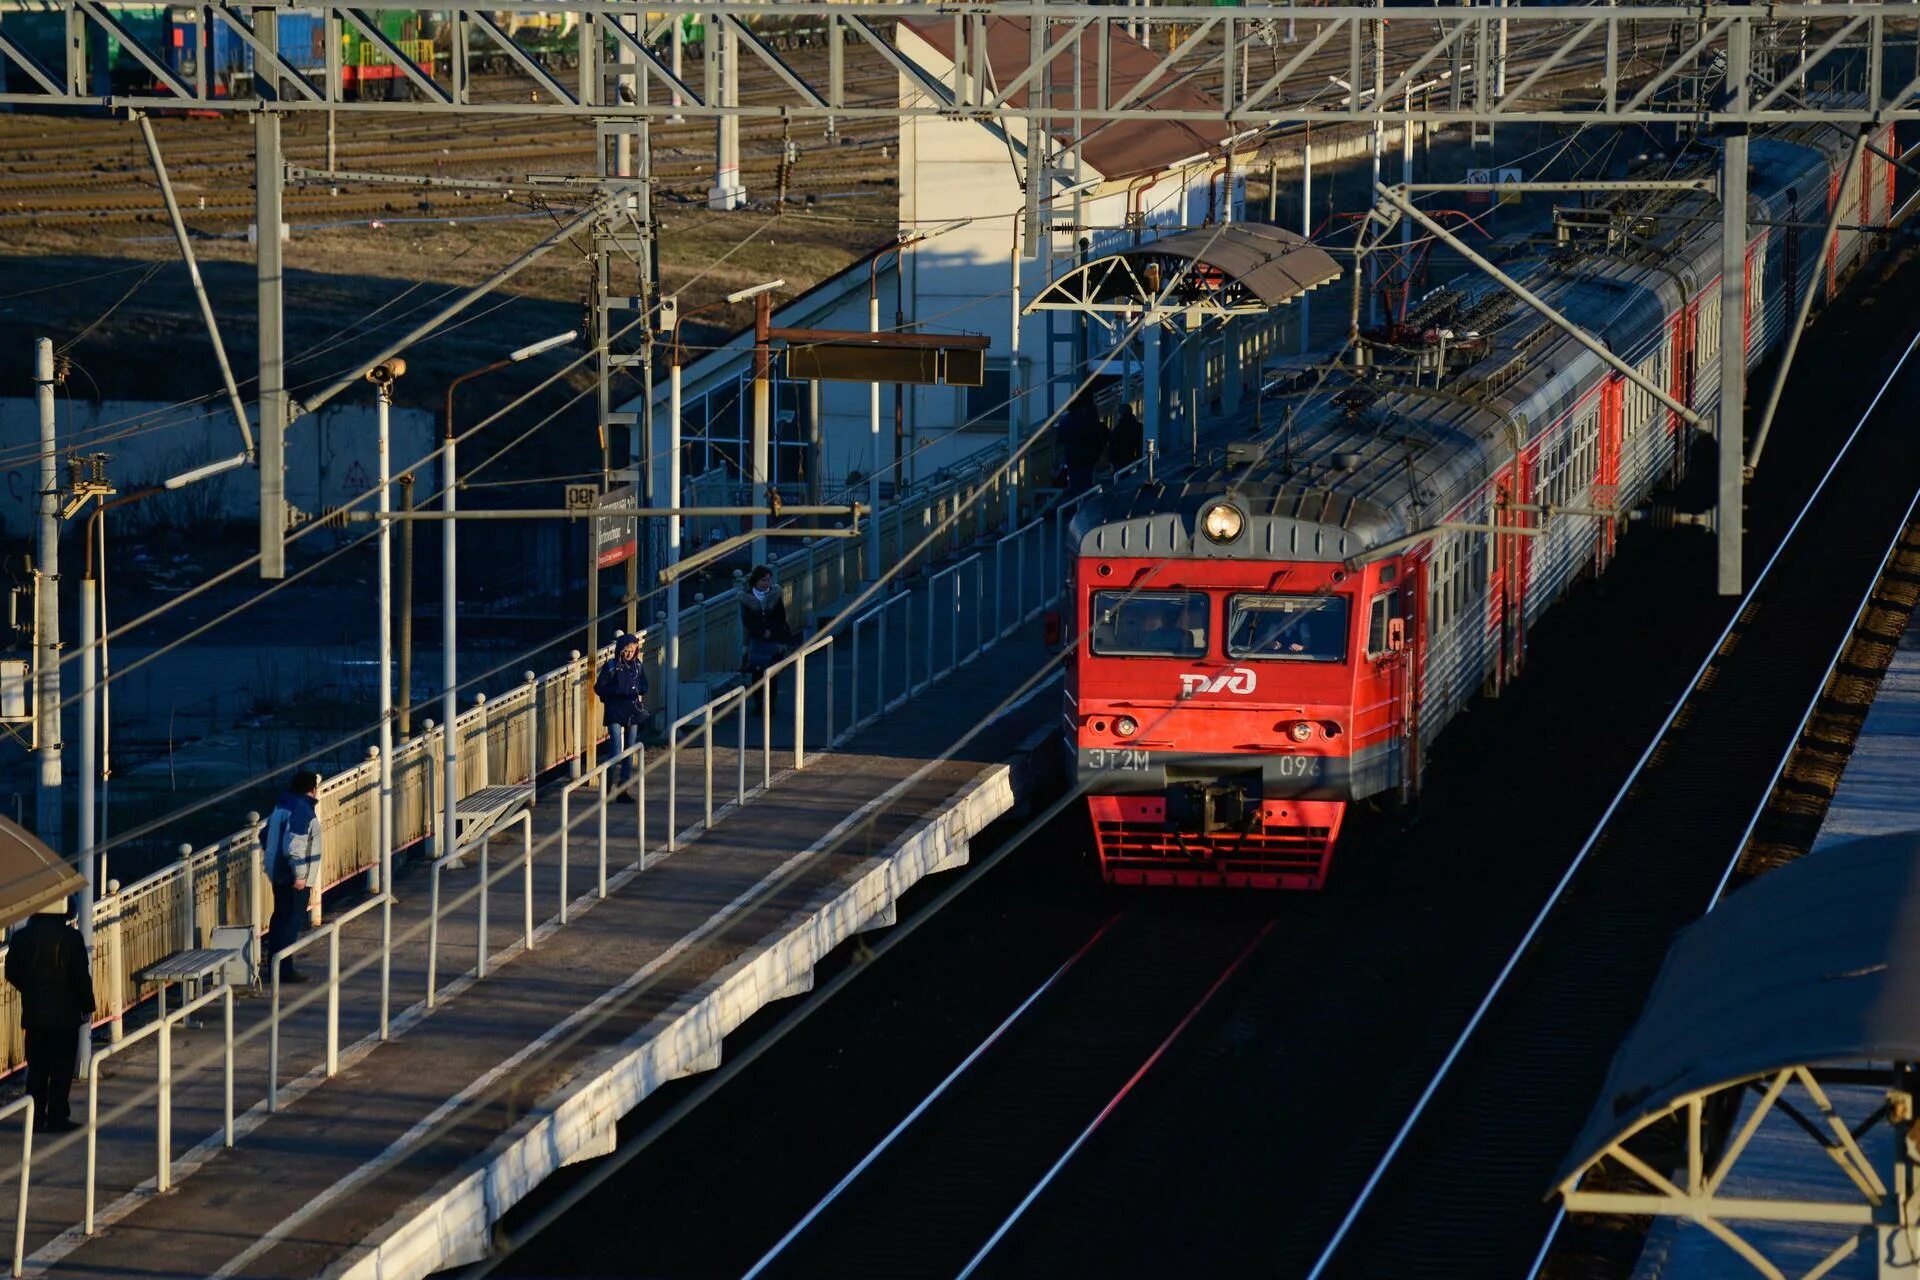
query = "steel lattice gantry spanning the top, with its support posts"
x=1721 y=68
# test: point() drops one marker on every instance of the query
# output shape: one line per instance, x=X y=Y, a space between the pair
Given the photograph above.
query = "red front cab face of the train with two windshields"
x=1226 y=713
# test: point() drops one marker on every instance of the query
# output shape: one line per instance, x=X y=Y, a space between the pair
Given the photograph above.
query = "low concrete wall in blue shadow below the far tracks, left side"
x=329 y=458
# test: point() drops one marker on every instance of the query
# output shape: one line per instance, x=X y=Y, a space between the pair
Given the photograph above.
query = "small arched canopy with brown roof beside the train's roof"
x=1218 y=272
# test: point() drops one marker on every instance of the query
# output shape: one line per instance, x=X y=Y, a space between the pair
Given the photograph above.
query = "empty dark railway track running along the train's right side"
x=1460 y=1191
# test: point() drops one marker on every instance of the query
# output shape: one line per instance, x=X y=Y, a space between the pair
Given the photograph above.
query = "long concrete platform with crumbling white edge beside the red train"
x=400 y=1166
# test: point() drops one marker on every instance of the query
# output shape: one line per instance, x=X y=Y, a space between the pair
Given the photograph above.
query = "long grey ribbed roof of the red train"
x=1366 y=460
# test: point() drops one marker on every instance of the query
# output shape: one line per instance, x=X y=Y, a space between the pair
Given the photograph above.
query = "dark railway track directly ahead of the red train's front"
x=955 y=1173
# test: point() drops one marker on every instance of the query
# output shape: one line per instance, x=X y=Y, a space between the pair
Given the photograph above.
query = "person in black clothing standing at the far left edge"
x=47 y=964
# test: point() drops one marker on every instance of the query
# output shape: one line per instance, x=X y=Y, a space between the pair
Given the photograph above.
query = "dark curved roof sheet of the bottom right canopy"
x=1813 y=964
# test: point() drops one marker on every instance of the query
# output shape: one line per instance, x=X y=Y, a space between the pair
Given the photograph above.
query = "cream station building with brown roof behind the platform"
x=965 y=264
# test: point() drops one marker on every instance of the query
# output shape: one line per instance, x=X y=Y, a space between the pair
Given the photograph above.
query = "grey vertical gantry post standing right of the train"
x=1729 y=525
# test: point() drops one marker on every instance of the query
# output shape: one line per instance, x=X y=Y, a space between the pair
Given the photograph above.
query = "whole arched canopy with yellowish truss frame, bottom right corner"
x=1798 y=982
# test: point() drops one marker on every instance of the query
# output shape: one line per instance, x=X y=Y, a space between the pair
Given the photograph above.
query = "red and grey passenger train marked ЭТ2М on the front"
x=1284 y=630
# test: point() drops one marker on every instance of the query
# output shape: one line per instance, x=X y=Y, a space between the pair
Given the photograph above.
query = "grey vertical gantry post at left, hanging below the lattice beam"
x=270 y=174
